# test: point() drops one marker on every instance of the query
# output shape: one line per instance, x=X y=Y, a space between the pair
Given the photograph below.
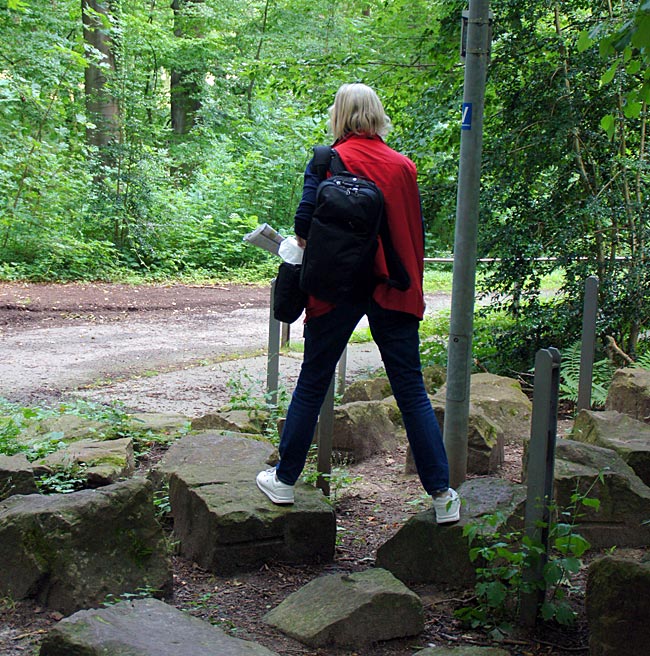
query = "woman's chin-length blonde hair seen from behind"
x=358 y=110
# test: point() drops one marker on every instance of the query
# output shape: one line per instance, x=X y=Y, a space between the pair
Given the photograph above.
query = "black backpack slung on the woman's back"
x=342 y=242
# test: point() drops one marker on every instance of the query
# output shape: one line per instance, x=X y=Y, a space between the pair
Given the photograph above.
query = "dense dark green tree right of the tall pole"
x=558 y=185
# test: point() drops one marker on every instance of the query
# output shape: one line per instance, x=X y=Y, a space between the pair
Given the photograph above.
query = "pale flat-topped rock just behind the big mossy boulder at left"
x=105 y=461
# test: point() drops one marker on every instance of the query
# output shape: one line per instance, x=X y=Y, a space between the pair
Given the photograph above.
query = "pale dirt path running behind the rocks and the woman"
x=153 y=348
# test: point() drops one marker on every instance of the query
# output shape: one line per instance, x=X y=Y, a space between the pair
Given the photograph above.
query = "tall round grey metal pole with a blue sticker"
x=464 y=274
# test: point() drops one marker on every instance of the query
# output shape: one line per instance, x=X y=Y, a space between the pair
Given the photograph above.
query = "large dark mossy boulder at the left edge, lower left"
x=68 y=551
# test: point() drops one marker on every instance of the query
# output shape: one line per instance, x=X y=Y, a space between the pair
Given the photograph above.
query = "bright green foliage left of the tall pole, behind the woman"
x=166 y=204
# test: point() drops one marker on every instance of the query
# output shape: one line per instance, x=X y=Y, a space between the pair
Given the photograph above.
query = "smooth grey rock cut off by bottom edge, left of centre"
x=146 y=627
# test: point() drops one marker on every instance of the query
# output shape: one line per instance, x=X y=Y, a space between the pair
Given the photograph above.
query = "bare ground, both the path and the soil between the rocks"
x=169 y=348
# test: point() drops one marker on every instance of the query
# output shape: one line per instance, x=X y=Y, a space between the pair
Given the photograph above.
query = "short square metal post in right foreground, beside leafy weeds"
x=541 y=464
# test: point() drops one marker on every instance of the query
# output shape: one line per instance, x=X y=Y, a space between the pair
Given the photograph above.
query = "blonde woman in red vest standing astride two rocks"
x=359 y=125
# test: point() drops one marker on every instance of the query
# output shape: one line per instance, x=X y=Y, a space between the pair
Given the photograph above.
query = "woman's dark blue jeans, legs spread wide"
x=396 y=335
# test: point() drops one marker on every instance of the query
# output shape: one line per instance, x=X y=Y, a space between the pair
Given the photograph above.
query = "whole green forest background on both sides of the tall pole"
x=142 y=139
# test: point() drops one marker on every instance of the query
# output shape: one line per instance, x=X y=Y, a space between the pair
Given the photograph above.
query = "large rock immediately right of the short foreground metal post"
x=624 y=499
